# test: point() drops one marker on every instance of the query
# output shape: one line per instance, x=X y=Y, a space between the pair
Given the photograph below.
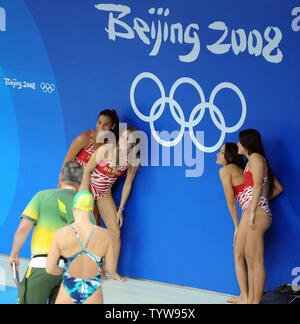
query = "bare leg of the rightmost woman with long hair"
x=255 y=256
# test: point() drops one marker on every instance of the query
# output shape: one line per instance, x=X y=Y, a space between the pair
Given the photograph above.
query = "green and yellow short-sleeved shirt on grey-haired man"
x=49 y=210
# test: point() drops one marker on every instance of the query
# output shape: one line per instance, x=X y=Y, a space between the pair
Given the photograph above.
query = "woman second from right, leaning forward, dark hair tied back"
x=231 y=175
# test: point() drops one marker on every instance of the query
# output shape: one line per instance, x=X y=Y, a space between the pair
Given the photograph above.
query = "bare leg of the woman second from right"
x=240 y=262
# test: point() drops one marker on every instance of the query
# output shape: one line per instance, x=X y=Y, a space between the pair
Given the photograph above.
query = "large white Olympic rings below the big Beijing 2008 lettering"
x=178 y=114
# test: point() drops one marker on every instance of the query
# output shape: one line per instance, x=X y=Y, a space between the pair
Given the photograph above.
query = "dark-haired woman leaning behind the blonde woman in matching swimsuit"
x=88 y=142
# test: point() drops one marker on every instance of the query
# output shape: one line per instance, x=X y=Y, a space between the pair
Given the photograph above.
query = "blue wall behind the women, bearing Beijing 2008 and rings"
x=177 y=228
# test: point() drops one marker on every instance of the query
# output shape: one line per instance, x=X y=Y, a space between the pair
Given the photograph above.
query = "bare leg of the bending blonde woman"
x=108 y=212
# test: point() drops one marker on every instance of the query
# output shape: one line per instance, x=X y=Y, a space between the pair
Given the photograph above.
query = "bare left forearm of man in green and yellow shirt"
x=21 y=235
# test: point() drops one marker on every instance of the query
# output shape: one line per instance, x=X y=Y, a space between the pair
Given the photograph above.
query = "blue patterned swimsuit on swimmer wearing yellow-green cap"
x=80 y=290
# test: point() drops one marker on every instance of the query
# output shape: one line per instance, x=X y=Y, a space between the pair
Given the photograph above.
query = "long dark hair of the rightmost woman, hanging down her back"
x=252 y=142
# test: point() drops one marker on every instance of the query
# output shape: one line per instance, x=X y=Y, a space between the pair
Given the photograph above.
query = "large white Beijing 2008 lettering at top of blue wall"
x=158 y=31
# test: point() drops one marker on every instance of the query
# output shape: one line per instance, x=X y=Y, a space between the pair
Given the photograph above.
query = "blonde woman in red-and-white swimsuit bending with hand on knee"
x=105 y=166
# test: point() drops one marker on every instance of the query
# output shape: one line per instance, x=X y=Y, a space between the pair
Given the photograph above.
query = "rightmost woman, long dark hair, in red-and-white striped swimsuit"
x=260 y=186
